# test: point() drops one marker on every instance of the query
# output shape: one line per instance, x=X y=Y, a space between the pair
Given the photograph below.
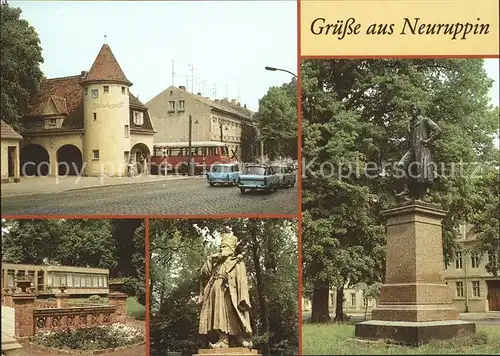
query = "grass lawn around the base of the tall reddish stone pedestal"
x=337 y=339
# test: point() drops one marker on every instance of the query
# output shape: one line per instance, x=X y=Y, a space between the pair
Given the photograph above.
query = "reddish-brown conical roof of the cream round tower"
x=106 y=68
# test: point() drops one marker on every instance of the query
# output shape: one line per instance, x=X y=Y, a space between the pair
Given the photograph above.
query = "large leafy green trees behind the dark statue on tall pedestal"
x=355 y=117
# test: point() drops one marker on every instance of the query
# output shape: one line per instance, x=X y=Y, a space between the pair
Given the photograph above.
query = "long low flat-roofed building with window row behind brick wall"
x=47 y=280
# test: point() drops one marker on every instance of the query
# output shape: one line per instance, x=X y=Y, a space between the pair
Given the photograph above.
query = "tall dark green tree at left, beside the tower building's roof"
x=20 y=59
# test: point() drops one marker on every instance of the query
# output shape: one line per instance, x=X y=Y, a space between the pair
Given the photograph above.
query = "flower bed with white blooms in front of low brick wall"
x=94 y=338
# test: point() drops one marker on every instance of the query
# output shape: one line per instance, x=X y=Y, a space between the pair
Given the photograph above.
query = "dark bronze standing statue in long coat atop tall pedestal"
x=417 y=162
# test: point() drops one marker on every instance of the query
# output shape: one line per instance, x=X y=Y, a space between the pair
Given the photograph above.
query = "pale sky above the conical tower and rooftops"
x=227 y=42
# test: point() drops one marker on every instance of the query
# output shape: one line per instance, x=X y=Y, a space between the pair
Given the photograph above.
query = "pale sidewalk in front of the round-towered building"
x=46 y=185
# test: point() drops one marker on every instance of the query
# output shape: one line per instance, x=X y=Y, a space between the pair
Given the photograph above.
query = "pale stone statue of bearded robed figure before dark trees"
x=225 y=298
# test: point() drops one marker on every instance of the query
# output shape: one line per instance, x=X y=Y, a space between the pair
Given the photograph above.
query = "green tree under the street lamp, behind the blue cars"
x=277 y=119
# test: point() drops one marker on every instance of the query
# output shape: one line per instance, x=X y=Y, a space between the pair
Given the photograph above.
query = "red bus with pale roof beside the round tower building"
x=174 y=156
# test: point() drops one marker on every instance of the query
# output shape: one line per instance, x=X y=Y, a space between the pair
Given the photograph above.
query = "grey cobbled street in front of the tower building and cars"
x=180 y=196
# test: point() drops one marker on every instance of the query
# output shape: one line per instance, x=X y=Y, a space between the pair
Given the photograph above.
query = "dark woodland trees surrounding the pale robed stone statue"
x=179 y=248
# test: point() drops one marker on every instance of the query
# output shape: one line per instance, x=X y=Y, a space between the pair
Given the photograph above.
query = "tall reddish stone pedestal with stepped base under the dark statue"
x=415 y=304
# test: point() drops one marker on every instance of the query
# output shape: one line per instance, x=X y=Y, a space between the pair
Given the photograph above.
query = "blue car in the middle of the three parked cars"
x=258 y=177
